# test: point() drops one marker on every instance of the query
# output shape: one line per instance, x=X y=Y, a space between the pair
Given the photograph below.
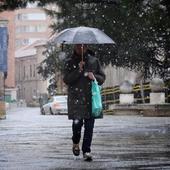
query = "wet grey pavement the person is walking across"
x=30 y=141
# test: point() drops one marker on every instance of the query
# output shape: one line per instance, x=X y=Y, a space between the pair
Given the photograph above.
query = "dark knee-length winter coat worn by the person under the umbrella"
x=79 y=85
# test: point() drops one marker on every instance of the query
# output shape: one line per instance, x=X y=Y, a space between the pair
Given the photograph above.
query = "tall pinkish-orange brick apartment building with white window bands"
x=25 y=26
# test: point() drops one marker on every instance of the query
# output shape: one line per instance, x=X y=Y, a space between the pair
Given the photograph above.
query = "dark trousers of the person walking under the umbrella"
x=88 y=133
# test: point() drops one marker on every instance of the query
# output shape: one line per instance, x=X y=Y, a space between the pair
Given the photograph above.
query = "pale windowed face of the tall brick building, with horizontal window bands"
x=31 y=24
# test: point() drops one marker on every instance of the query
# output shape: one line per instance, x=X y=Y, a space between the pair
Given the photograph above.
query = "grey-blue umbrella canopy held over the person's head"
x=82 y=35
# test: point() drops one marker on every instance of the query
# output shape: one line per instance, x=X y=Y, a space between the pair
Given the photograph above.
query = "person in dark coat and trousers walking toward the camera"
x=79 y=71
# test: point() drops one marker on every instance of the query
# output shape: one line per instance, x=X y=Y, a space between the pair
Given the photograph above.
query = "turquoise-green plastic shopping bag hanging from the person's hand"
x=96 y=100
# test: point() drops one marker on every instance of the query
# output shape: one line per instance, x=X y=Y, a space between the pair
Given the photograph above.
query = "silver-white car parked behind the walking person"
x=55 y=105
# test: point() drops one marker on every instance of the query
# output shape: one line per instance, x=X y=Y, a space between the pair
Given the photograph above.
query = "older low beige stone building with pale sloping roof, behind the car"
x=30 y=85
